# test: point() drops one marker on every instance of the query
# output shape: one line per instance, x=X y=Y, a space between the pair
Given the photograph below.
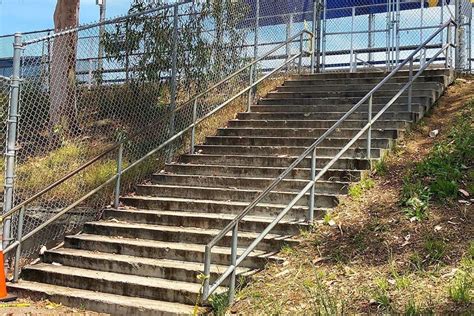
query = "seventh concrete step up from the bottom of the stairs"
x=267 y=210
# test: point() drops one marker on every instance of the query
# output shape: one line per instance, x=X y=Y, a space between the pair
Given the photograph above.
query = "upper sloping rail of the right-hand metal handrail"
x=300 y=158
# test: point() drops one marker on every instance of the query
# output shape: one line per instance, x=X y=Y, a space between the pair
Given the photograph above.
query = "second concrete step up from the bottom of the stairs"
x=114 y=283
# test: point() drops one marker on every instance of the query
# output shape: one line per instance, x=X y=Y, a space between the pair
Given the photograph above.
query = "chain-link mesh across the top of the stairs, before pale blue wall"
x=378 y=35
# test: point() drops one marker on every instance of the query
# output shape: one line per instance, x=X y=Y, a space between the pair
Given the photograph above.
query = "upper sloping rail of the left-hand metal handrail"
x=115 y=146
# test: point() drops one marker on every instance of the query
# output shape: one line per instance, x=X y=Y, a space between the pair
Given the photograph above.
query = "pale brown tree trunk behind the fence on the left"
x=63 y=111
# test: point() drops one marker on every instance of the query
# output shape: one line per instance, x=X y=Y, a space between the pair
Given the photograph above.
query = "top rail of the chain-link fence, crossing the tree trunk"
x=106 y=22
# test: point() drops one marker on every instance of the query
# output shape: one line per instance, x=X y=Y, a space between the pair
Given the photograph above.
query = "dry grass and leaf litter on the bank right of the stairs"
x=376 y=260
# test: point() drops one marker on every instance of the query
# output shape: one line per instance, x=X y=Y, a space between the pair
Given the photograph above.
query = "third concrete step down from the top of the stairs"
x=347 y=86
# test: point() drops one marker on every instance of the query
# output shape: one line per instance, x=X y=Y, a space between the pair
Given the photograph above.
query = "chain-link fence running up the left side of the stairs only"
x=130 y=79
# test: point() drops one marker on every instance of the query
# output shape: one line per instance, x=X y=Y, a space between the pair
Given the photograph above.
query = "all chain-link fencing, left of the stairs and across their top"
x=132 y=78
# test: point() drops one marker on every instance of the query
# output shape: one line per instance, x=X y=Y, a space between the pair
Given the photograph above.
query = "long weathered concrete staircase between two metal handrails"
x=145 y=257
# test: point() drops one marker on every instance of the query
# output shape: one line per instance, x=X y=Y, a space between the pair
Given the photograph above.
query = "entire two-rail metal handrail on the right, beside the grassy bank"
x=233 y=225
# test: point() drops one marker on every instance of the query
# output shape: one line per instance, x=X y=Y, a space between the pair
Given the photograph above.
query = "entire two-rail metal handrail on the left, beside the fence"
x=119 y=145
